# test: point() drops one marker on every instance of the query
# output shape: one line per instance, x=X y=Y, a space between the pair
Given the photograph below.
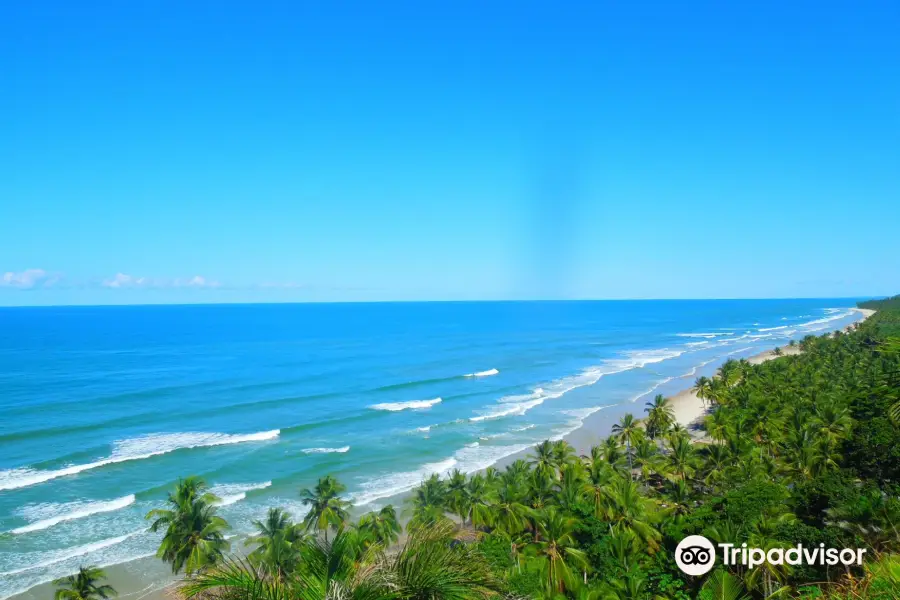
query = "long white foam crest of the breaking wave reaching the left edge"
x=133 y=449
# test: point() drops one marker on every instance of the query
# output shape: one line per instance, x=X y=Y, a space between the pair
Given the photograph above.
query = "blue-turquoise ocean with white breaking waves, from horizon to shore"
x=102 y=409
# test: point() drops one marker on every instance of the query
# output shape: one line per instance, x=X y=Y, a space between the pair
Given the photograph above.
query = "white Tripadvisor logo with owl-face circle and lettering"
x=696 y=555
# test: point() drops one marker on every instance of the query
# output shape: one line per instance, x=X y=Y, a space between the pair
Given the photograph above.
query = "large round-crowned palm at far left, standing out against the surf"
x=194 y=537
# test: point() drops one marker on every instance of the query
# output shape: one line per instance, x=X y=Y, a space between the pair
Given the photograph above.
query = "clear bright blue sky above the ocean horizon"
x=215 y=151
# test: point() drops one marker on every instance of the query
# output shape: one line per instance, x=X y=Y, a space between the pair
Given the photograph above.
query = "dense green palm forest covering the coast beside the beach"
x=801 y=449
